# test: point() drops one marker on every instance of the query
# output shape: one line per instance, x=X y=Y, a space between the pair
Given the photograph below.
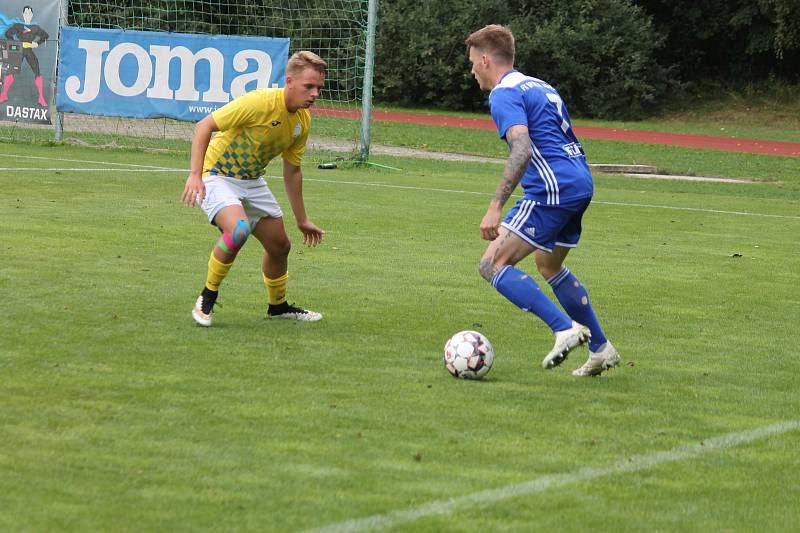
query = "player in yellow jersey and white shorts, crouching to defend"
x=226 y=179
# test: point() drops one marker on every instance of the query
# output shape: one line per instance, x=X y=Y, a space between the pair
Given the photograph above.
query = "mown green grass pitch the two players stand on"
x=118 y=413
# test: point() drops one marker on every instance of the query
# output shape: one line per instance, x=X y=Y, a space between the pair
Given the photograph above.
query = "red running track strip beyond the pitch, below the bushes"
x=752 y=146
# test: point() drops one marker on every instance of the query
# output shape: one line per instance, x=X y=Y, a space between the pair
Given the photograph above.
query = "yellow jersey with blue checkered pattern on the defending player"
x=254 y=129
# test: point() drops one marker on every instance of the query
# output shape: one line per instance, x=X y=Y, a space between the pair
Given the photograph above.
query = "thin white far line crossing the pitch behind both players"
x=132 y=167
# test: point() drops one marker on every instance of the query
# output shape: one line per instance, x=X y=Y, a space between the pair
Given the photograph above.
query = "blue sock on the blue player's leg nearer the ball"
x=521 y=290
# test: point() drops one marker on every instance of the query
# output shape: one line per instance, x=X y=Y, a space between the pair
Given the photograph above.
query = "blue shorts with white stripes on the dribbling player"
x=547 y=226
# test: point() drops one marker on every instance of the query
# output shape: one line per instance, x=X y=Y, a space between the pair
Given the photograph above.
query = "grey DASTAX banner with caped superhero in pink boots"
x=28 y=46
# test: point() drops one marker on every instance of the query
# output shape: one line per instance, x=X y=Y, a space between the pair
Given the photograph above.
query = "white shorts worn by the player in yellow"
x=253 y=195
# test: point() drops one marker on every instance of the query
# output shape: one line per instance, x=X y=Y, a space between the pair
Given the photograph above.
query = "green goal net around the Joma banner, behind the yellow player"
x=334 y=29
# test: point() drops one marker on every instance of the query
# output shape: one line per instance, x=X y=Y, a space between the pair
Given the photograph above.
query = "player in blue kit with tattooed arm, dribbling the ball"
x=549 y=162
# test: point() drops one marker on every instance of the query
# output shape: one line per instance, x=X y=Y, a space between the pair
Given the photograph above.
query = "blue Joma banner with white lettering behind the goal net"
x=145 y=74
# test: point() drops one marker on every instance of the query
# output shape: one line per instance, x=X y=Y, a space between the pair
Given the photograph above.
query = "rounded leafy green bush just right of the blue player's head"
x=600 y=54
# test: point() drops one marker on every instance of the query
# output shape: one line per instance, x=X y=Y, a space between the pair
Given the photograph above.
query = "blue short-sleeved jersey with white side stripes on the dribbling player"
x=557 y=171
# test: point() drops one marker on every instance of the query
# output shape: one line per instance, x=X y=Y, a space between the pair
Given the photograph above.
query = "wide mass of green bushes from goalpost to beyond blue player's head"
x=599 y=53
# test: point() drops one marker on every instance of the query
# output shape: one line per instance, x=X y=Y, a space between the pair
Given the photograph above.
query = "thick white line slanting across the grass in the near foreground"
x=634 y=463
